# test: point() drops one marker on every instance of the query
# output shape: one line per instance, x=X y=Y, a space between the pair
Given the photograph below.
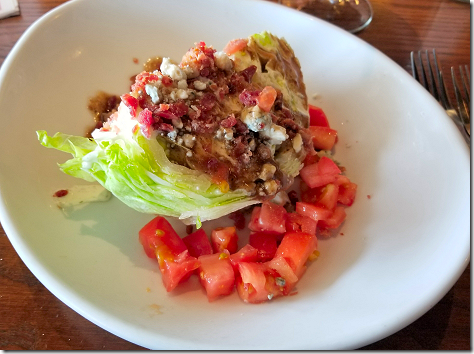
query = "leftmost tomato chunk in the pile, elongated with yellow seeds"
x=161 y=241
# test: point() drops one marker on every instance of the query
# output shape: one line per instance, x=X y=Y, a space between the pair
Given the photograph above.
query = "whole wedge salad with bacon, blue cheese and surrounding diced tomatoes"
x=221 y=133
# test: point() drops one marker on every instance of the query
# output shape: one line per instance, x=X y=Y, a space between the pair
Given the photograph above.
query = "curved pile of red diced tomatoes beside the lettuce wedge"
x=283 y=237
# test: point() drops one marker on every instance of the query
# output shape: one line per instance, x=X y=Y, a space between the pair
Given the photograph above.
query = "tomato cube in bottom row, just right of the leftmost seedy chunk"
x=216 y=275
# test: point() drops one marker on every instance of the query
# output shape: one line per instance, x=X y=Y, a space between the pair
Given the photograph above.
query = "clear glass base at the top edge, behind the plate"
x=351 y=15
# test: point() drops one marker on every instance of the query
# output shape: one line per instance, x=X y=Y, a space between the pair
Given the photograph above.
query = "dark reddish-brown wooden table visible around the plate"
x=32 y=318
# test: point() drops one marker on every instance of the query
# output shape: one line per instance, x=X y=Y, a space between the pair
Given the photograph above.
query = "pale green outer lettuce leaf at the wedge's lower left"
x=138 y=172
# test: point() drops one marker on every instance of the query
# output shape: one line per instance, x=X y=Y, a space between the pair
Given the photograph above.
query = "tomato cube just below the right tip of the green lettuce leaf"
x=270 y=217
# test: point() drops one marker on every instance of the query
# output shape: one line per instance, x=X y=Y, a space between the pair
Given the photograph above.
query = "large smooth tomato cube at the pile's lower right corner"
x=295 y=248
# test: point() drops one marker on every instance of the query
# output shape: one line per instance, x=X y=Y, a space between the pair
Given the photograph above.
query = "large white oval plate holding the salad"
x=401 y=251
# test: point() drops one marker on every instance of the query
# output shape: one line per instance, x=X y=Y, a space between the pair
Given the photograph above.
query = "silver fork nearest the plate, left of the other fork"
x=430 y=76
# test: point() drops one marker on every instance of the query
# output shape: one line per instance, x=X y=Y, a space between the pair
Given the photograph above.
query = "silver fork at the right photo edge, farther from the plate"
x=463 y=97
